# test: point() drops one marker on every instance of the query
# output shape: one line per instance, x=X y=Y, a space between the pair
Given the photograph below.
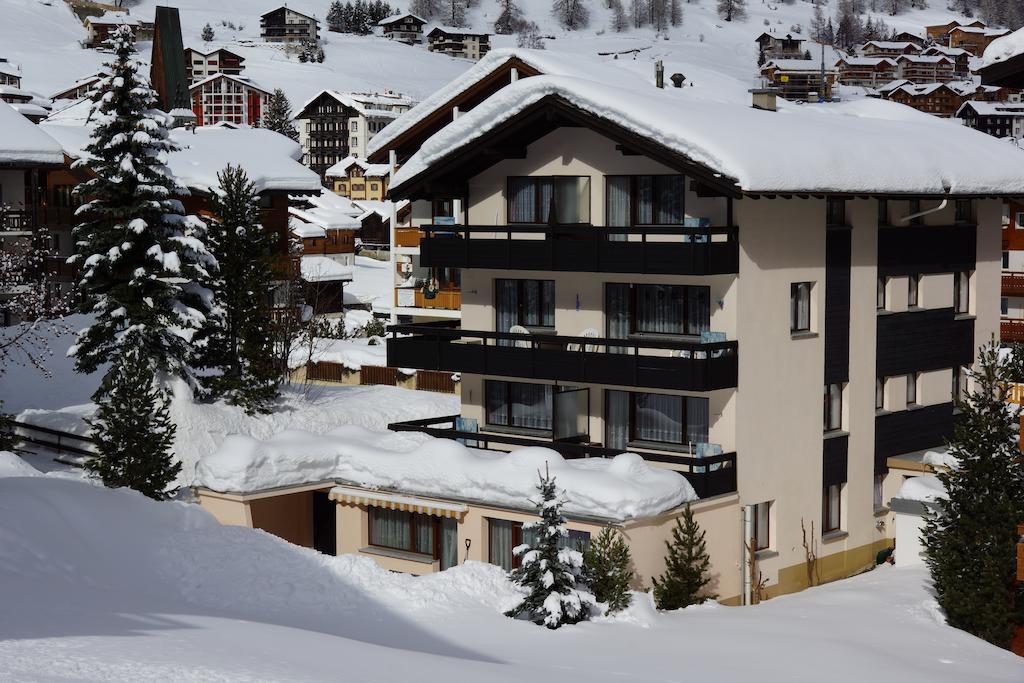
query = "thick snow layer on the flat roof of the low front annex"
x=621 y=488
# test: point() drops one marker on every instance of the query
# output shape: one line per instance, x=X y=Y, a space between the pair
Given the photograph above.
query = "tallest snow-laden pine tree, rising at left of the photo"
x=142 y=258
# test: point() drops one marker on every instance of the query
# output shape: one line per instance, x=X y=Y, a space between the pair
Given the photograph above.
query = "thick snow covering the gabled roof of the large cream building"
x=899 y=150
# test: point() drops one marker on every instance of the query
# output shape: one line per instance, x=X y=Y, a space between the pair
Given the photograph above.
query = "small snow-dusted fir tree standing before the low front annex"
x=547 y=570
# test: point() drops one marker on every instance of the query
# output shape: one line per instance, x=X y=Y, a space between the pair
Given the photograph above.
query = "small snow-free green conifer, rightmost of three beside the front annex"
x=686 y=567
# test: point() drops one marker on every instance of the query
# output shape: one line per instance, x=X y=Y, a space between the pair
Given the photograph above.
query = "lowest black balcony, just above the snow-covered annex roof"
x=713 y=476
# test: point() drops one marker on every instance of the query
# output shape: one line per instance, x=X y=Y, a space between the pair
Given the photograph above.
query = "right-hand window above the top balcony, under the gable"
x=645 y=200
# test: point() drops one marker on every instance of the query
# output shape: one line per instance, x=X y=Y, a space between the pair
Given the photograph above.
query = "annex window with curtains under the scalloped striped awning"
x=415 y=533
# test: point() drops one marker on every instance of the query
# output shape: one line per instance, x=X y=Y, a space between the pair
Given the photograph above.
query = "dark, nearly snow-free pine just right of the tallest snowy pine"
x=239 y=340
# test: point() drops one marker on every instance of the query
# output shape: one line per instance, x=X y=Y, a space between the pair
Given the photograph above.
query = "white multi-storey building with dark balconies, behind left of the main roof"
x=336 y=125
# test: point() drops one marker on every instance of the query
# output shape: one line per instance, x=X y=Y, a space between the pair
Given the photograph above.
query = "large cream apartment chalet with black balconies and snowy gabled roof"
x=775 y=329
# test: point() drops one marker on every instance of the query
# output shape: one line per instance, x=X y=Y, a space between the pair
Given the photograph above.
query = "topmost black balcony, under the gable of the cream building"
x=673 y=251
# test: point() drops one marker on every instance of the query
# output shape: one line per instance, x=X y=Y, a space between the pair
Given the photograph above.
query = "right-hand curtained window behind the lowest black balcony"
x=655 y=418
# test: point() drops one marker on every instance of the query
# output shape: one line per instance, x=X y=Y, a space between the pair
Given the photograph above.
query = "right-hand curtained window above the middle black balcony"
x=660 y=310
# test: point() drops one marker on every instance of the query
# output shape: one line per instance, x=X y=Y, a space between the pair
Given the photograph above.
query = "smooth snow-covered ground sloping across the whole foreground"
x=106 y=585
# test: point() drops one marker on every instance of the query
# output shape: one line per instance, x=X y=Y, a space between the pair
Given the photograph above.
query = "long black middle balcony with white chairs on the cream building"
x=687 y=366
